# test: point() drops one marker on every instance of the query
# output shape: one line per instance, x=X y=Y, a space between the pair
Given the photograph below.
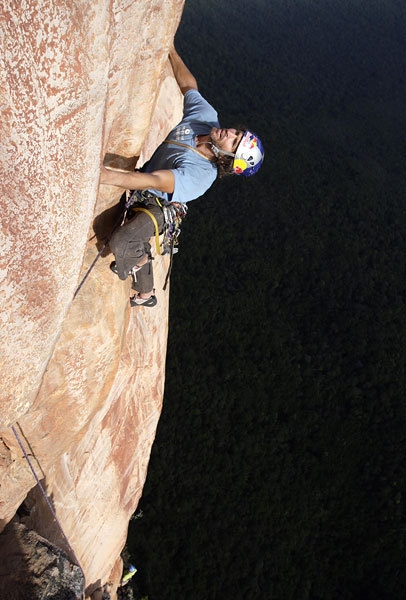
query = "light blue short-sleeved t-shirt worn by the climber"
x=193 y=173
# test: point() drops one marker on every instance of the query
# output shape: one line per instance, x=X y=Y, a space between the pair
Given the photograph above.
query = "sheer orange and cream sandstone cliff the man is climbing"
x=81 y=379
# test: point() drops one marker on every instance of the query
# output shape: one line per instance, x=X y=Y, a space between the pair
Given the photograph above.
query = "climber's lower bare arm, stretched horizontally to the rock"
x=163 y=180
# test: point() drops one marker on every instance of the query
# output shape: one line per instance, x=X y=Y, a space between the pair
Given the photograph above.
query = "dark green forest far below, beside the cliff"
x=279 y=466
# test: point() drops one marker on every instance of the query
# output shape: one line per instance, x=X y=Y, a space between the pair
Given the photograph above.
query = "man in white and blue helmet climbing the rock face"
x=184 y=166
